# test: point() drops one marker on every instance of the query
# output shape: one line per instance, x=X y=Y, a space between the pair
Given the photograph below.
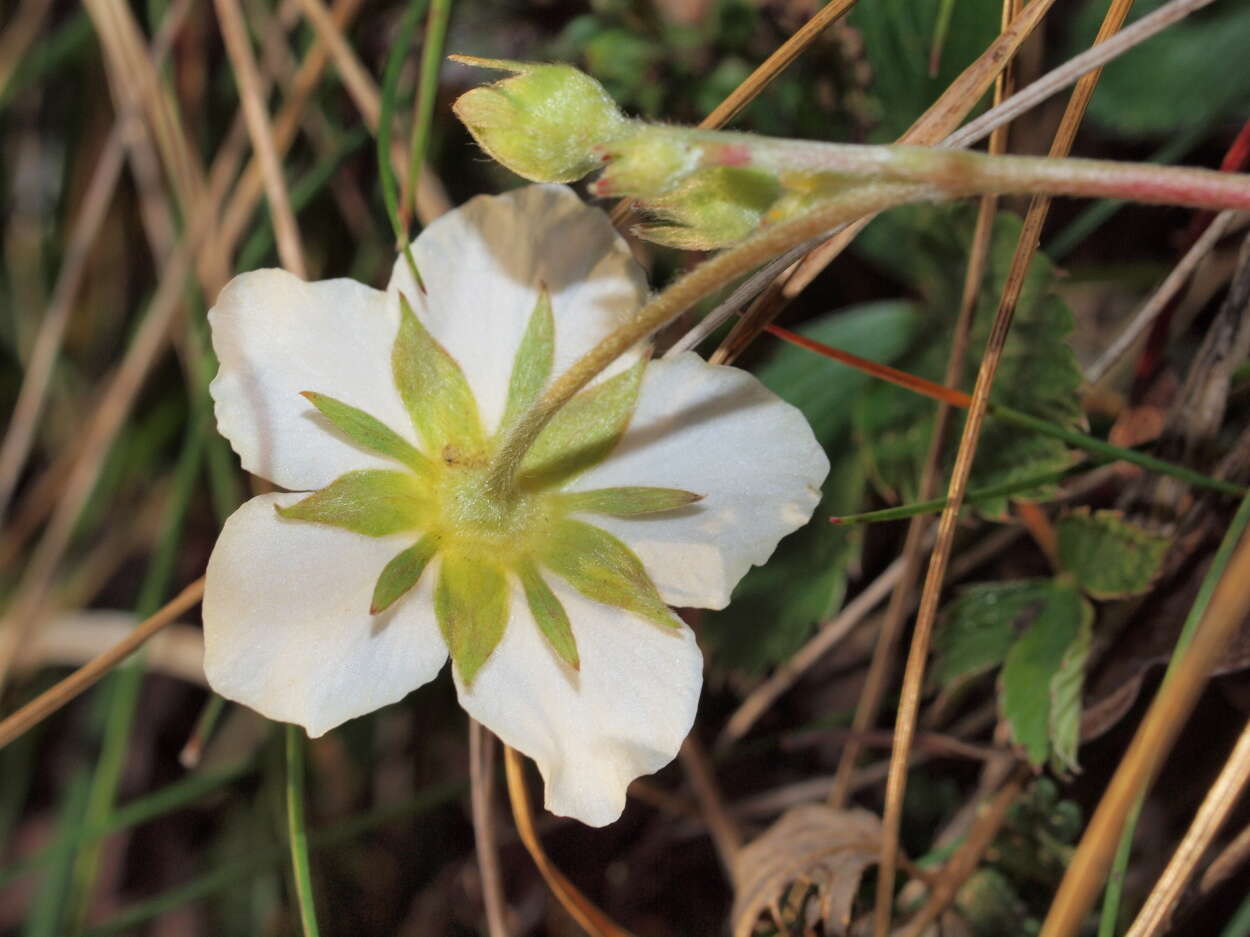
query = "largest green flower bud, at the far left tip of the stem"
x=544 y=123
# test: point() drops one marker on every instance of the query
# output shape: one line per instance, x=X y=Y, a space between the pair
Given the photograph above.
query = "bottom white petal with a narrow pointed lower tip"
x=592 y=731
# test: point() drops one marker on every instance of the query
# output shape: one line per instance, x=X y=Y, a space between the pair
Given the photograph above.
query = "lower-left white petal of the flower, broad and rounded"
x=287 y=624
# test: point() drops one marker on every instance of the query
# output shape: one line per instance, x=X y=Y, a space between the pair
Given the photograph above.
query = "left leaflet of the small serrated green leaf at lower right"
x=981 y=627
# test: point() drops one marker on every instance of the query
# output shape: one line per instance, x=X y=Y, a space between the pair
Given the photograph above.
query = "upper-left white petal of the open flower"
x=278 y=337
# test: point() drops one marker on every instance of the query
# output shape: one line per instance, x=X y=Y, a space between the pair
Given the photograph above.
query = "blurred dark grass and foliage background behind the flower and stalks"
x=148 y=808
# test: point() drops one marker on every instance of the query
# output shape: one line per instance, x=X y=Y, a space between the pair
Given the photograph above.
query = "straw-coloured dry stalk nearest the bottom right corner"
x=1212 y=815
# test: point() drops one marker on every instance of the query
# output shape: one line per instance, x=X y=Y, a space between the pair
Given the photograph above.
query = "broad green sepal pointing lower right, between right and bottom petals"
x=602 y=568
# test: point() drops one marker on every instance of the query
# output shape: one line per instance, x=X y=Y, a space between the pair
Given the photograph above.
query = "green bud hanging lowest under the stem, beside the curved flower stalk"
x=713 y=209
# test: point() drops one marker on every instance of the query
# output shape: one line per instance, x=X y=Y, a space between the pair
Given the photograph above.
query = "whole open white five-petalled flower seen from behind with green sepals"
x=554 y=600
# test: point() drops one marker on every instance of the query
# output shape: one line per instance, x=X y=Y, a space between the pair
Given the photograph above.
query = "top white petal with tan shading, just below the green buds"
x=483 y=265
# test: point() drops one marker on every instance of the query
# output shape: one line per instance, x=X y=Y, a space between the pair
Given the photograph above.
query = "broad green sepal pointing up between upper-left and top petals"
x=434 y=389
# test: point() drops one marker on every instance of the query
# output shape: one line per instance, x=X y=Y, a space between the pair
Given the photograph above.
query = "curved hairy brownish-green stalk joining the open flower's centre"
x=682 y=295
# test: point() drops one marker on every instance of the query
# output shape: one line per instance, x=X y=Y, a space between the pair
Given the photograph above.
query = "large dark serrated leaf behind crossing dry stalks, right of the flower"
x=927 y=248
